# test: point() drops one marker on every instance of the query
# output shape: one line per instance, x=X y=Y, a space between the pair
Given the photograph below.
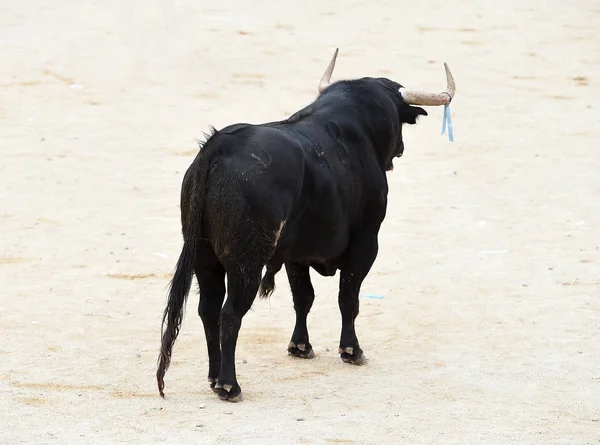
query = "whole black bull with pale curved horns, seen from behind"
x=308 y=191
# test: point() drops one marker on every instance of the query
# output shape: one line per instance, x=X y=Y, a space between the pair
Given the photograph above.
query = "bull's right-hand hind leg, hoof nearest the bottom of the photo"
x=242 y=286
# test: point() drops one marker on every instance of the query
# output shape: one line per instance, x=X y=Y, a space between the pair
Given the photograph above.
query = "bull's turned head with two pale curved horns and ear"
x=405 y=101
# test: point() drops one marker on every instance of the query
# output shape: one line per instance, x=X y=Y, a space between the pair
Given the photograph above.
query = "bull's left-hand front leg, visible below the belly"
x=303 y=295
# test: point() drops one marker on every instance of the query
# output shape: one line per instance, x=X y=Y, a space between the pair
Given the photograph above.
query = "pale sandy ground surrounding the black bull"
x=489 y=326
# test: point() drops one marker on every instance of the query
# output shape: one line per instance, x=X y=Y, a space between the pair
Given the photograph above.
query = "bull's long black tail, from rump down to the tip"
x=192 y=203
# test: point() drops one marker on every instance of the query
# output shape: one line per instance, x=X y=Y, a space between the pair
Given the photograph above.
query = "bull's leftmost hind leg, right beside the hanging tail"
x=211 y=281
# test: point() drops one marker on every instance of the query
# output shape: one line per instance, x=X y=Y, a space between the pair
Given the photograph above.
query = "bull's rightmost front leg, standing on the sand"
x=356 y=265
